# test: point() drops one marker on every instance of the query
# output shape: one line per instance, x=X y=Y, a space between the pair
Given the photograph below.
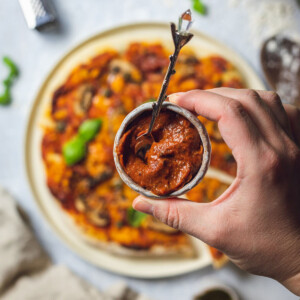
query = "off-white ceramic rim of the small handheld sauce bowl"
x=203 y=136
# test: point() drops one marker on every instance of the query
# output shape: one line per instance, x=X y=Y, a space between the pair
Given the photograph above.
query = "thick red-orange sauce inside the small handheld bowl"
x=173 y=159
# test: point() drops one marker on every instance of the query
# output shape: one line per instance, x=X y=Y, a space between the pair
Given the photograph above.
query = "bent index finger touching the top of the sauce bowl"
x=236 y=127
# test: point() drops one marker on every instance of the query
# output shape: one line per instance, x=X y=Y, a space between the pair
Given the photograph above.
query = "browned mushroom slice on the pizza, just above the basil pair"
x=83 y=99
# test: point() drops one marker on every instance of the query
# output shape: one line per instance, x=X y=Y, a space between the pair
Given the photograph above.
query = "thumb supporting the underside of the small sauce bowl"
x=196 y=219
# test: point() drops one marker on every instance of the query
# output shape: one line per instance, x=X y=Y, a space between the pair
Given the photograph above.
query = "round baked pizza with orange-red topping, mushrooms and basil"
x=92 y=103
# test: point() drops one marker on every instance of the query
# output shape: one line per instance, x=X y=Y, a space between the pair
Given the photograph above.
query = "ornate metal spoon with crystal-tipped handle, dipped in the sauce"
x=180 y=38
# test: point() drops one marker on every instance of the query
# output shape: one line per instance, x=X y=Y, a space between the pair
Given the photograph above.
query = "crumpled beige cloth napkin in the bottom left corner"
x=26 y=272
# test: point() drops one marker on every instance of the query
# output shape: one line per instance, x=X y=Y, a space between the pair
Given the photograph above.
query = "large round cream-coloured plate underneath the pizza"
x=117 y=38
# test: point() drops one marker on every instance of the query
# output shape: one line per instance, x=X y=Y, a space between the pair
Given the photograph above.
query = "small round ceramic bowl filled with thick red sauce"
x=185 y=168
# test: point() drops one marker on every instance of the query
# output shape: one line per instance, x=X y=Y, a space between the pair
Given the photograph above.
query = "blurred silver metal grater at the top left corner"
x=38 y=13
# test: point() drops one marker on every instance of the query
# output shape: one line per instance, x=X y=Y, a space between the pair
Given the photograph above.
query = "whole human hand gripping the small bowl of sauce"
x=256 y=221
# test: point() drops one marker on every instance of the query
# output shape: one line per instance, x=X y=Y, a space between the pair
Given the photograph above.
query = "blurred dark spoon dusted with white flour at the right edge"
x=280 y=59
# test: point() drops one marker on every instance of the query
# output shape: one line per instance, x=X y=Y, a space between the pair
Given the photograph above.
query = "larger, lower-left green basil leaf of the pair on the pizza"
x=74 y=151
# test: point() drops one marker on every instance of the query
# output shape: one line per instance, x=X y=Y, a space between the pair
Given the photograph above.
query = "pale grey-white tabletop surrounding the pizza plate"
x=36 y=53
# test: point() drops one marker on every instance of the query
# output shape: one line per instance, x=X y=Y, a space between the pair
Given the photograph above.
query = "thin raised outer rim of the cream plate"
x=30 y=121
